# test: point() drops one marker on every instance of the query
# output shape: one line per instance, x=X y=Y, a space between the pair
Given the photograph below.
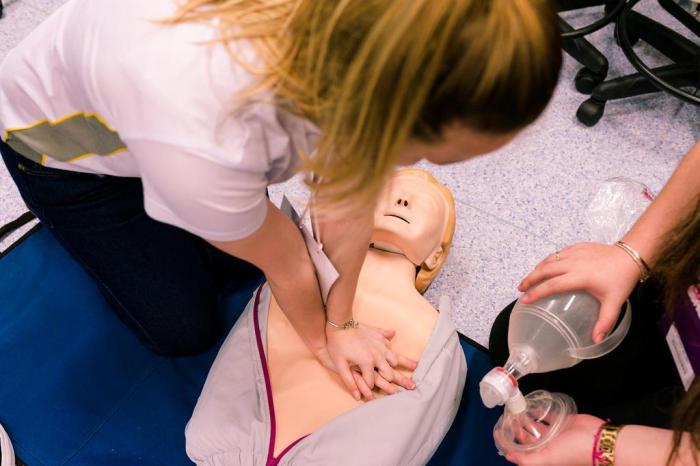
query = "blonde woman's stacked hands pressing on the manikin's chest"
x=364 y=349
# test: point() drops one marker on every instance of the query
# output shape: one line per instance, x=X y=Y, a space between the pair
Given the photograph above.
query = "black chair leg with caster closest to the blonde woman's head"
x=595 y=64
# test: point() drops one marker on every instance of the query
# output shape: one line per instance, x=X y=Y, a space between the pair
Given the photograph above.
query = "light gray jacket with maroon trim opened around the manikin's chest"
x=231 y=424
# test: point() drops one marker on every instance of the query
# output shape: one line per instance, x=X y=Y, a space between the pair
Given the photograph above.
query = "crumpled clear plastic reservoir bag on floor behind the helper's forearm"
x=616 y=207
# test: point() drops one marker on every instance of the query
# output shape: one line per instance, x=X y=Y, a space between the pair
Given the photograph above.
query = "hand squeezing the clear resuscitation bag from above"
x=604 y=271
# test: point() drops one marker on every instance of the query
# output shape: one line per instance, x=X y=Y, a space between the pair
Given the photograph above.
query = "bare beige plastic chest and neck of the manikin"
x=306 y=395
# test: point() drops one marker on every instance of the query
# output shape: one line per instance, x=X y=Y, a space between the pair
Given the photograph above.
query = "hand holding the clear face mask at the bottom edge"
x=572 y=446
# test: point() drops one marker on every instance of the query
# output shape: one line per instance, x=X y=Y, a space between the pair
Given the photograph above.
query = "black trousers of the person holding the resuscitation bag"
x=635 y=383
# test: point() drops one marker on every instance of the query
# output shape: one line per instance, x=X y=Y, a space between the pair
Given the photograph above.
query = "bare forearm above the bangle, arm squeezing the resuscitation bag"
x=672 y=205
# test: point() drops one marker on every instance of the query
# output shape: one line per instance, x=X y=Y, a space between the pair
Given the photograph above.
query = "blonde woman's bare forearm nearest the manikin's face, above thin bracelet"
x=346 y=243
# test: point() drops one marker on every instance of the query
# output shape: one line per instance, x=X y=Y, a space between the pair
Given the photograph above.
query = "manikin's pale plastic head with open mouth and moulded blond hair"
x=411 y=218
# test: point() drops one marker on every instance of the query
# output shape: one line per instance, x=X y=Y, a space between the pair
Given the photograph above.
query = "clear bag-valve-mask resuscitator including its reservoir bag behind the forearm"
x=556 y=332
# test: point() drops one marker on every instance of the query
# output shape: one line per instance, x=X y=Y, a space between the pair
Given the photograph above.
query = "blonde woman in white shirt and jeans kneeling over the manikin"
x=145 y=134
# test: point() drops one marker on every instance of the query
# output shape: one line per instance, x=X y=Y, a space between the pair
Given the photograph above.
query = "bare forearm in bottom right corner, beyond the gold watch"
x=649 y=446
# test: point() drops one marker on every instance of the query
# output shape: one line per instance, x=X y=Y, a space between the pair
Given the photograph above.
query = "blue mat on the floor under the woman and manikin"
x=78 y=388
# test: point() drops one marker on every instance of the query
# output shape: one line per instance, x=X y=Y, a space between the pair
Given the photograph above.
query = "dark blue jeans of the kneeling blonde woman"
x=163 y=282
